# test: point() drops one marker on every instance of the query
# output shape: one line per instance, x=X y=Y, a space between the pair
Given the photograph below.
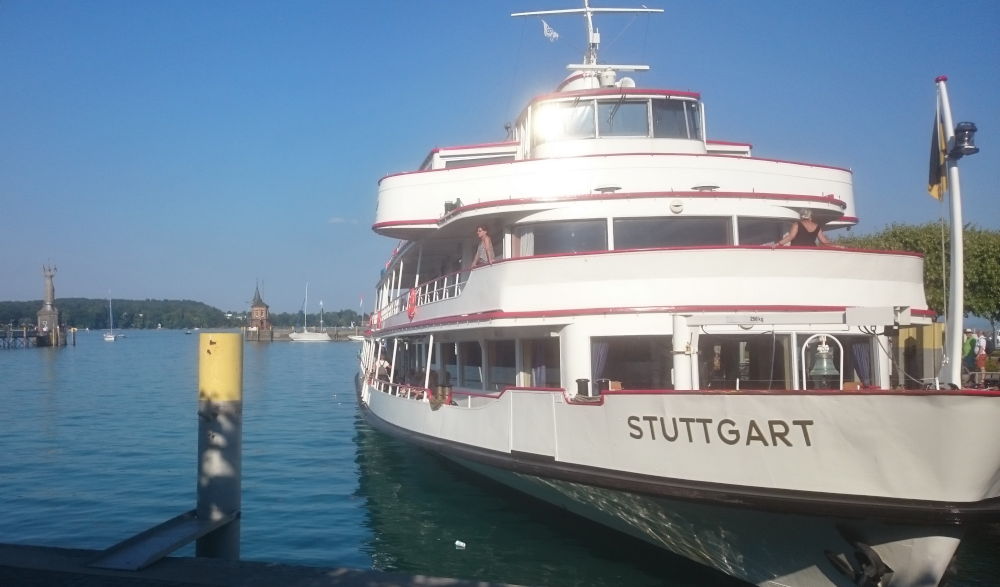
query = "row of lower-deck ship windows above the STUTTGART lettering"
x=632 y=362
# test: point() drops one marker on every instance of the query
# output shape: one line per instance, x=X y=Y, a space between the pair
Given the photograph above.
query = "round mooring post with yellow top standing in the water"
x=220 y=441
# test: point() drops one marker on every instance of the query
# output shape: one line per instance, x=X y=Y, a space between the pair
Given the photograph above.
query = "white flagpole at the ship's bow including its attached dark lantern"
x=957 y=147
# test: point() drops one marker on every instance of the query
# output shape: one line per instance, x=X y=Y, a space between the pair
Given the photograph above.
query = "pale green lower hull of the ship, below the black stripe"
x=761 y=547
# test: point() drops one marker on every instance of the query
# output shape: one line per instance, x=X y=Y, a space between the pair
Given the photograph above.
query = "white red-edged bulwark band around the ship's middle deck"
x=704 y=277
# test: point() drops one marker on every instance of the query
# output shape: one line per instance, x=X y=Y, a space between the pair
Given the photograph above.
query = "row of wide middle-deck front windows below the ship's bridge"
x=642 y=233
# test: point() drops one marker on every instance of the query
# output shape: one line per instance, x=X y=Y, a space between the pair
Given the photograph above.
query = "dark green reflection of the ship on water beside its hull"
x=418 y=505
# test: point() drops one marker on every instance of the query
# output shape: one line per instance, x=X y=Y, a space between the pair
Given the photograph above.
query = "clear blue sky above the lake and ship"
x=187 y=149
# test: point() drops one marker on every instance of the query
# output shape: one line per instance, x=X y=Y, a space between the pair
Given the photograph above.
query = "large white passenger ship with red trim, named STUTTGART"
x=640 y=352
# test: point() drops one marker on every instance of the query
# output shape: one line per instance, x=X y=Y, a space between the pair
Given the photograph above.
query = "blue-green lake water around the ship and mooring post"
x=99 y=442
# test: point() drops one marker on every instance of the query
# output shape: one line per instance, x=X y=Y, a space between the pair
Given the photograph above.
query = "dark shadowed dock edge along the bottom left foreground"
x=39 y=566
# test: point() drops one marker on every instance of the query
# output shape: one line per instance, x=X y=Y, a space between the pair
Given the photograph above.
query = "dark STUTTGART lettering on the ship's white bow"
x=692 y=430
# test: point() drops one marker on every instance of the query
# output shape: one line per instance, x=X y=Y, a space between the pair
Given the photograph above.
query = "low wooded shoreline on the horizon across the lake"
x=93 y=313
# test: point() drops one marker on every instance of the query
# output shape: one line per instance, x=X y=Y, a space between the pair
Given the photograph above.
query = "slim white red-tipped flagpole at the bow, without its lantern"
x=956 y=303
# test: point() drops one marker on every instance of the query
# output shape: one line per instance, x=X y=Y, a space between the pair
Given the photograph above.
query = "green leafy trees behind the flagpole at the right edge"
x=982 y=264
